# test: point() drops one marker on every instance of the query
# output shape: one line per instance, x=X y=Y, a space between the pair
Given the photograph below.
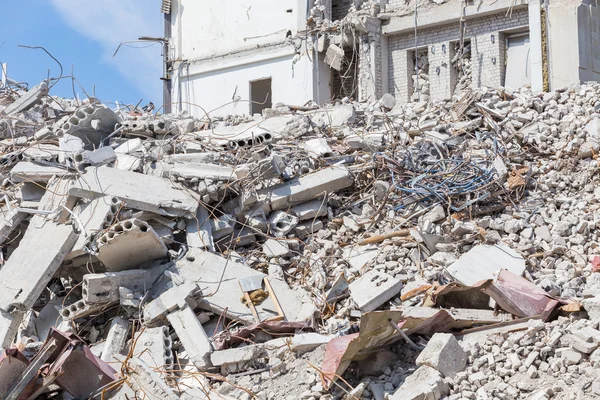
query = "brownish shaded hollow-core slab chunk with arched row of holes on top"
x=129 y=244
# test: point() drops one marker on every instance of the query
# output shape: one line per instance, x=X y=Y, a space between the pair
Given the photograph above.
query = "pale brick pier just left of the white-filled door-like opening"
x=488 y=53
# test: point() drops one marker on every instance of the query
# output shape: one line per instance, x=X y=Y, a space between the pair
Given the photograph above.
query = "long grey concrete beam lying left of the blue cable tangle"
x=297 y=191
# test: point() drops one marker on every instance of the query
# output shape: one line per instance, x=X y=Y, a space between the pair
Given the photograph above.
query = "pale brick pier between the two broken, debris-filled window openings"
x=442 y=76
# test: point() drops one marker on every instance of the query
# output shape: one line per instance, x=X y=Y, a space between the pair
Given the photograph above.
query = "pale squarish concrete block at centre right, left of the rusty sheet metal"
x=373 y=289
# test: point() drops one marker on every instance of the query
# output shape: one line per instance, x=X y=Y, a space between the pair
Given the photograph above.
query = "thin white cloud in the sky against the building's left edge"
x=109 y=22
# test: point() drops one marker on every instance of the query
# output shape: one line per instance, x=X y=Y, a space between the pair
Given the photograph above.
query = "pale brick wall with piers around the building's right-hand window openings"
x=479 y=30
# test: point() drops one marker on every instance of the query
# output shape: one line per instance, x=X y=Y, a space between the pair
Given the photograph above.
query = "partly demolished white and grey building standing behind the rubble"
x=250 y=57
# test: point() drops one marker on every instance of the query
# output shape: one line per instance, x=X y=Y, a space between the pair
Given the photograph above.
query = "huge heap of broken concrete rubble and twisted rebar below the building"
x=428 y=250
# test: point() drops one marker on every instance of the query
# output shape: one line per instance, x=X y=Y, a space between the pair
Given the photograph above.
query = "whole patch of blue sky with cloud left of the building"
x=85 y=34
